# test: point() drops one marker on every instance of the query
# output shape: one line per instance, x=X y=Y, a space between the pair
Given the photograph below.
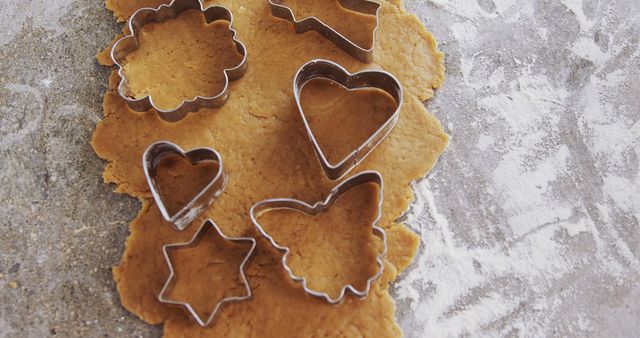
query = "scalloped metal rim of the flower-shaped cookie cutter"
x=146 y=102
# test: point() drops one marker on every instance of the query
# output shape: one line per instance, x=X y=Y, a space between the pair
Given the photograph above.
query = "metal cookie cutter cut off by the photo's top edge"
x=313 y=23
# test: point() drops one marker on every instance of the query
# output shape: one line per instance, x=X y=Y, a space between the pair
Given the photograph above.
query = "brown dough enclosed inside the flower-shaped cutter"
x=208 y=80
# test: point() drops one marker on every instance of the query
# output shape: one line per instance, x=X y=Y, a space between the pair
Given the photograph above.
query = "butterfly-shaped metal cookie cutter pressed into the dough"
x=297 y=205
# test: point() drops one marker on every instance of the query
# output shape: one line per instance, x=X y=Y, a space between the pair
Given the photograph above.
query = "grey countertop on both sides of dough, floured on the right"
x=529 y=225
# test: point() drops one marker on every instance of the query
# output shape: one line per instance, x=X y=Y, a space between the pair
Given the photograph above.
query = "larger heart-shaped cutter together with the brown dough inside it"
x=355 y=103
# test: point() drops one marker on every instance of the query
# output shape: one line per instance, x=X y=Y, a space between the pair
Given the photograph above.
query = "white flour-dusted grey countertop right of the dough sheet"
x=530 y=222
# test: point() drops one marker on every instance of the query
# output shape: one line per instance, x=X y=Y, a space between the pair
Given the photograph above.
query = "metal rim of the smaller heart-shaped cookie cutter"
x=182 y=218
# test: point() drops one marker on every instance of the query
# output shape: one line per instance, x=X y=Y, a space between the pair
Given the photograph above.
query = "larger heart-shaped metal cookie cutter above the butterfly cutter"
x=366 y=79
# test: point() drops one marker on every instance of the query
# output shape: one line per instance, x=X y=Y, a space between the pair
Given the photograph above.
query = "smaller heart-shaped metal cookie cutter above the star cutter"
x=151 y=161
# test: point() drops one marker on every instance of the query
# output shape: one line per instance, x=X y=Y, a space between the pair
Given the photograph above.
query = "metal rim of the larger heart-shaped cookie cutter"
x=336 y=171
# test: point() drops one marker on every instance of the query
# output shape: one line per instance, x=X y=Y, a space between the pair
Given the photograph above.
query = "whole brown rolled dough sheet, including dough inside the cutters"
x=266 y=154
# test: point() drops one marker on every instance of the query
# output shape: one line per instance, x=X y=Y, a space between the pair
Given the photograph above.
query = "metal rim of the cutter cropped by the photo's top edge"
x=357 y=51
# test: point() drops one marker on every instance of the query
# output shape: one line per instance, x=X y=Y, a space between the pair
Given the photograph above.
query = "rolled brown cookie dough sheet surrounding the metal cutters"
x=267 y=154
